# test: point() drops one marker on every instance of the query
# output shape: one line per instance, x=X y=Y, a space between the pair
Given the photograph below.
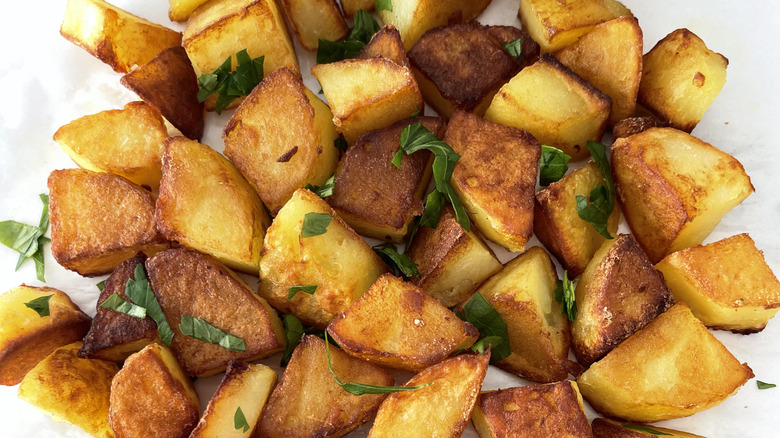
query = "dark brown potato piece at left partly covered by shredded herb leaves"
x=113 y=336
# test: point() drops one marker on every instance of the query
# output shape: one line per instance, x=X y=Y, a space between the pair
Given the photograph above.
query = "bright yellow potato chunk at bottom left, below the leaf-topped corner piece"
x=72 y=389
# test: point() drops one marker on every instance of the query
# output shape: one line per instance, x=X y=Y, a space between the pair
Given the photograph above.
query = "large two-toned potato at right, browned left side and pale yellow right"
x=671 y=201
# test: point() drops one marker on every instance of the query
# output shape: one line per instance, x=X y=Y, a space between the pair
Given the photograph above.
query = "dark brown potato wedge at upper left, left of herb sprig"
x=168 y=82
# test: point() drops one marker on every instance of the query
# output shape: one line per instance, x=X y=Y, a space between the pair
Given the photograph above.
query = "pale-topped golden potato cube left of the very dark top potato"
x=367 y=94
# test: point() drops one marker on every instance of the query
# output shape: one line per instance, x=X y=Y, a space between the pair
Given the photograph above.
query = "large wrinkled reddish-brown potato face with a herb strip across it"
x=189 y=283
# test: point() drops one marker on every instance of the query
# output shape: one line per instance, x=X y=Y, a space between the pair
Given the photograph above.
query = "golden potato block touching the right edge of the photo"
x=727 y=284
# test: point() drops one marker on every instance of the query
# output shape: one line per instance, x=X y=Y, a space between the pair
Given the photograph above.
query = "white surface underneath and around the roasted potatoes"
x=45 y=82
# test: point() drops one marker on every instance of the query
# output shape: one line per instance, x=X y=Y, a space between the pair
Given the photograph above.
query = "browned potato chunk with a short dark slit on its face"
x=281 y=138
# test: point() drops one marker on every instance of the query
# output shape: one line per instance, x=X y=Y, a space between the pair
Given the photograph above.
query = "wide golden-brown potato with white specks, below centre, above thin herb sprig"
x=425 y=332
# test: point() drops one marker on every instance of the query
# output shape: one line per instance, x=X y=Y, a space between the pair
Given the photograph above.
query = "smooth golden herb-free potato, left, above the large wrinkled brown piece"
x=206 y=204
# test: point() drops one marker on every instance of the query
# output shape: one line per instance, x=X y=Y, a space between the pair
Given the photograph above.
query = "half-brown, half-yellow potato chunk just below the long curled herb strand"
x=452 y=261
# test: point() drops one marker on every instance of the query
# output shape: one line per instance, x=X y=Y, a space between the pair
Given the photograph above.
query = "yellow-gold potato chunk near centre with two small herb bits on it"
x=339 y=262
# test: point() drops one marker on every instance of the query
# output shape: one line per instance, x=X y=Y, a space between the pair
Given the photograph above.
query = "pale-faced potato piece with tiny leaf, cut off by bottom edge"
x=245 y=387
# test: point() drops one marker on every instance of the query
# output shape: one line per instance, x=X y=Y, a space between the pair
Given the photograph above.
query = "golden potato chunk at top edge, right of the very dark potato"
x=555 y=24
